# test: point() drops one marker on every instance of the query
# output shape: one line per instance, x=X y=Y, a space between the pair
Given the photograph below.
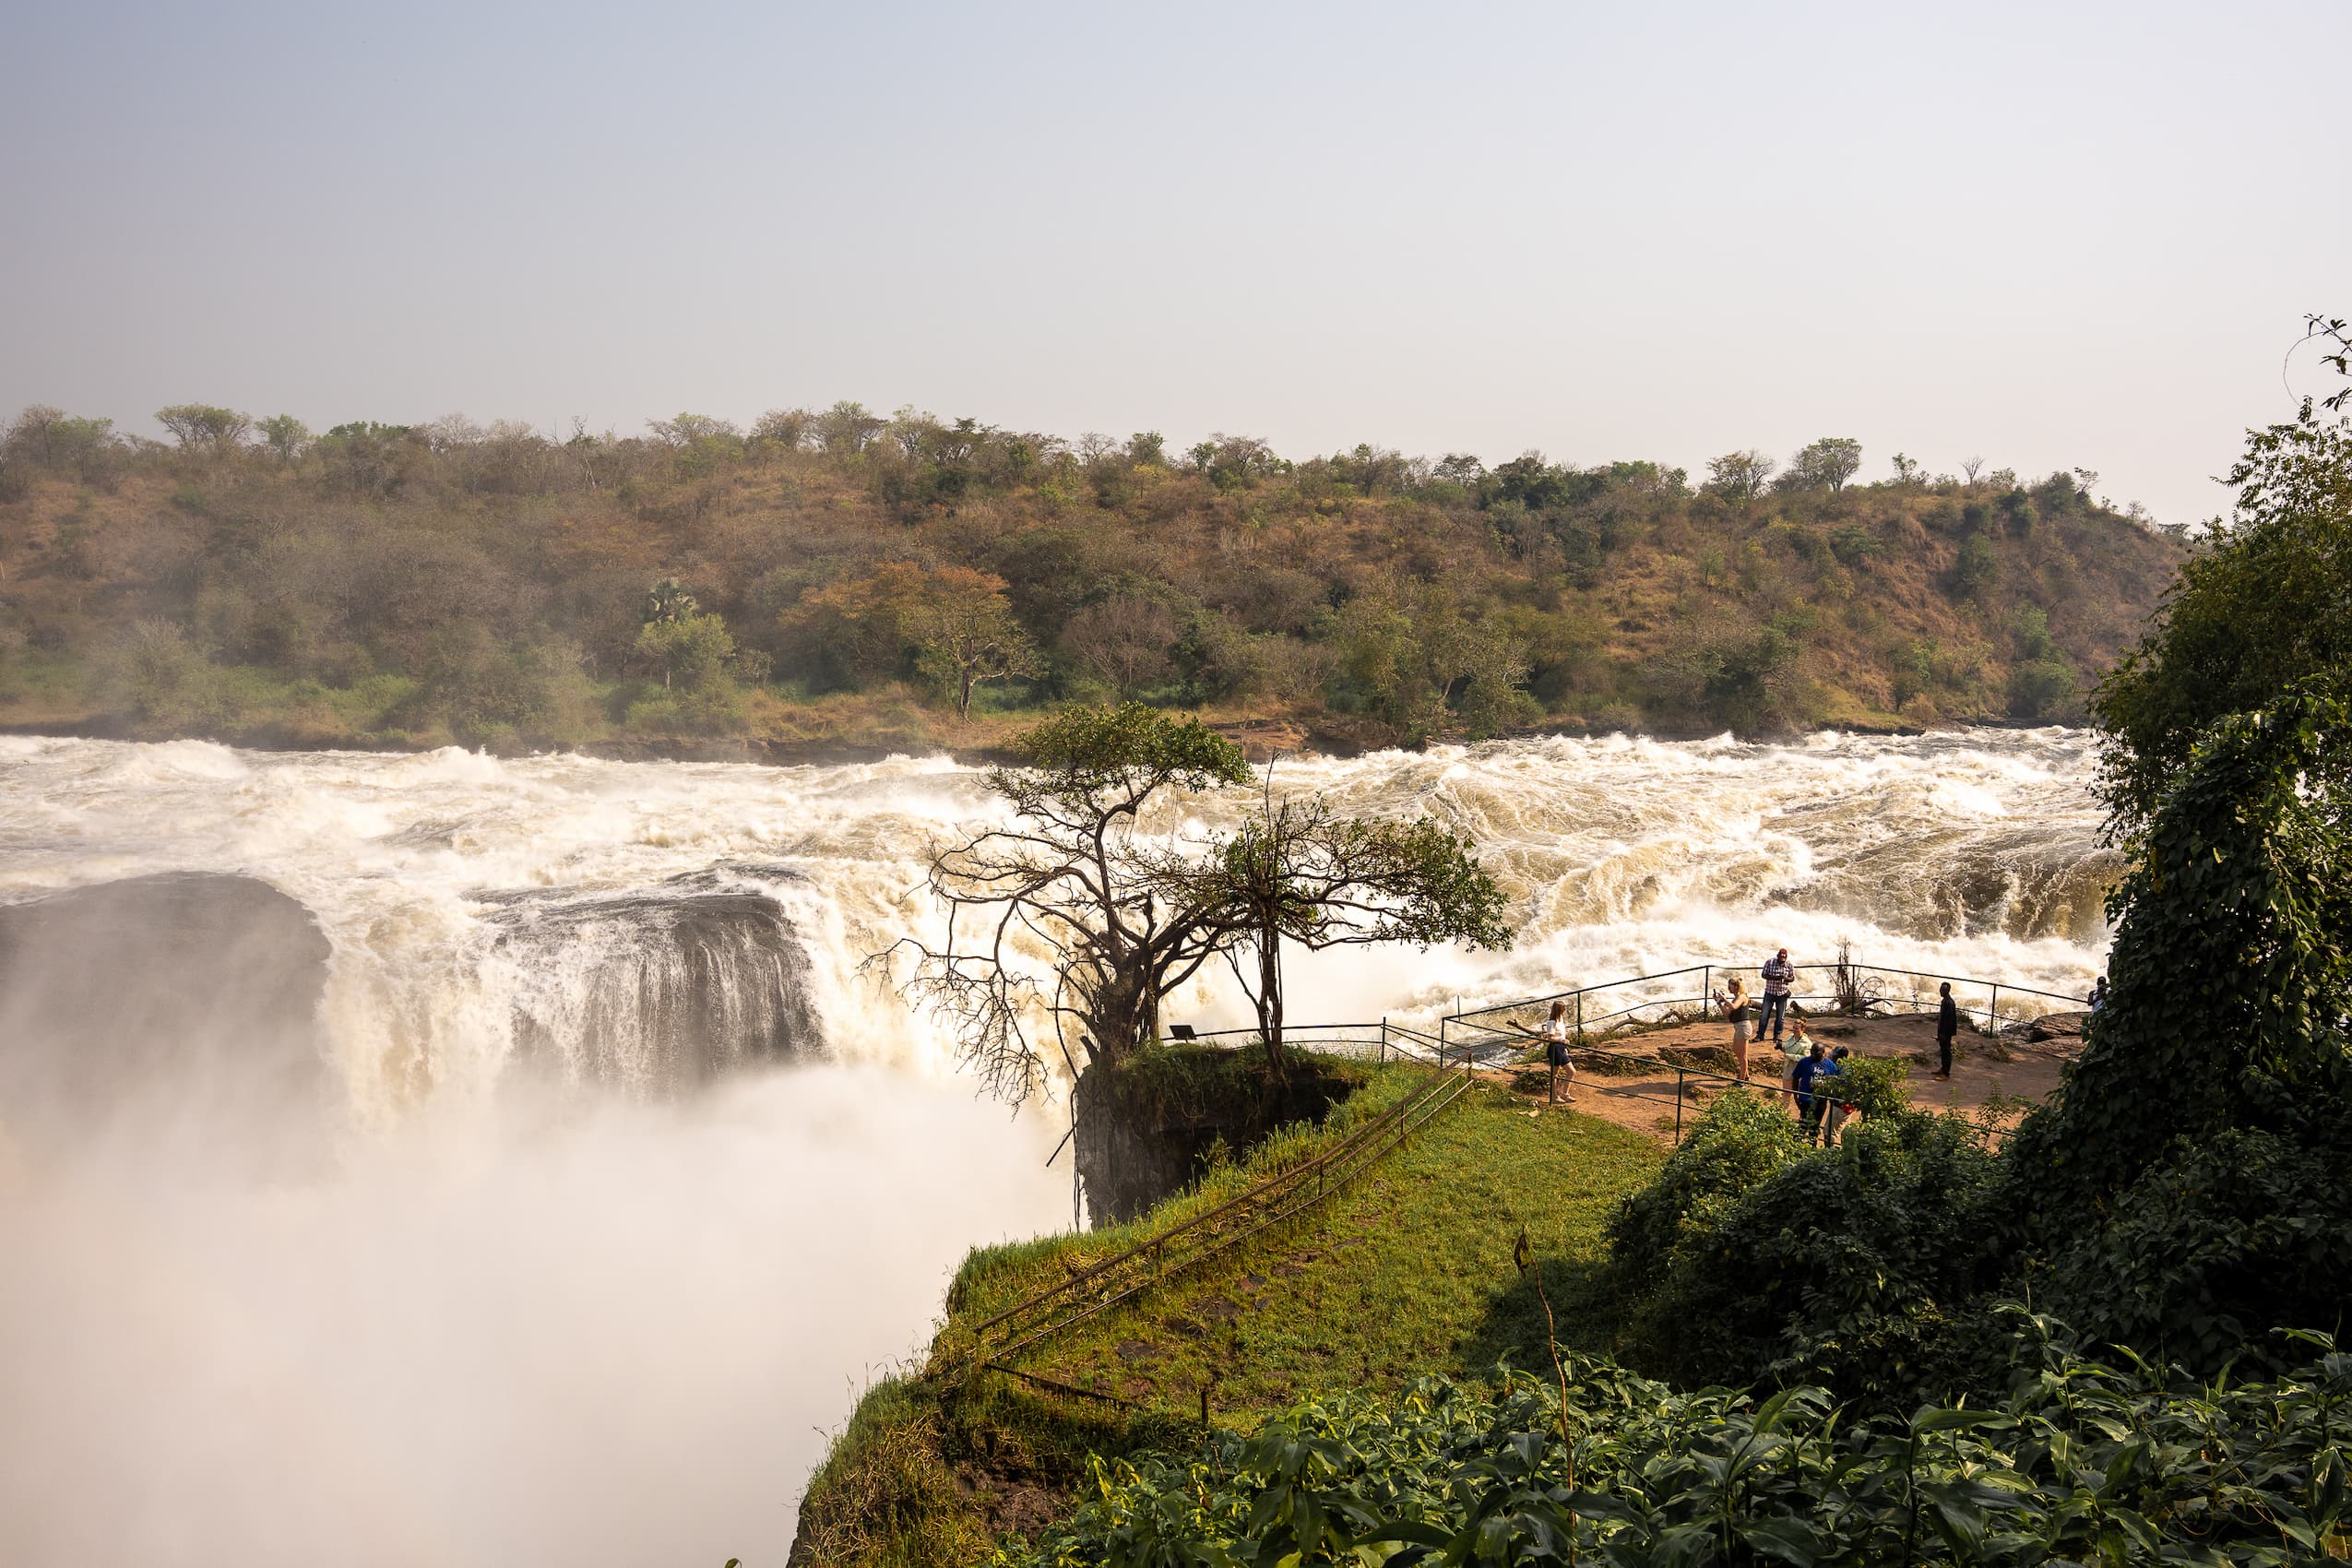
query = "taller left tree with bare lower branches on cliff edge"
x=1069 y=876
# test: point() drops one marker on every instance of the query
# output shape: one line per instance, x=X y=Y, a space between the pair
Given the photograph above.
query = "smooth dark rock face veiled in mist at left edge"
x=159 y=1010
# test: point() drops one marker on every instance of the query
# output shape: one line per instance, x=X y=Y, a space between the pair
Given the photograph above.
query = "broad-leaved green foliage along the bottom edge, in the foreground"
x=2080 y=1463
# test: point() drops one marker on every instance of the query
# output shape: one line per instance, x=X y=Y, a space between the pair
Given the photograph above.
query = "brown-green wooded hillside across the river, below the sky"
x=846 y=575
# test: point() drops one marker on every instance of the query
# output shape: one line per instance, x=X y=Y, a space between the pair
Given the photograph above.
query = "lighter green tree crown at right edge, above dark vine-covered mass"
x=2257 y=608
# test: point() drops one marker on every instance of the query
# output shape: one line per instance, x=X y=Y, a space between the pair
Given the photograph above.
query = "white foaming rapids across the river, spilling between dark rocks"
x=1963 y=852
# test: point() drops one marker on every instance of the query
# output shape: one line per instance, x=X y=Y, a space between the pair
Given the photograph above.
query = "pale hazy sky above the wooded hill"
x=2045 y=234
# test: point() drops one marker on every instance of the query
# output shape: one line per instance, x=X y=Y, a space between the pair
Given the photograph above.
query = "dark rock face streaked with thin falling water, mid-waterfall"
x=657 y=991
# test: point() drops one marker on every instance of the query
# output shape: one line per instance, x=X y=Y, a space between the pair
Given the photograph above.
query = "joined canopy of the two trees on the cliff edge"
x=1074 y=918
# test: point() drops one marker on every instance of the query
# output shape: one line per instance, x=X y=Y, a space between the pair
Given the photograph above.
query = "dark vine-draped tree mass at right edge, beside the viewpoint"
x=2233 y=925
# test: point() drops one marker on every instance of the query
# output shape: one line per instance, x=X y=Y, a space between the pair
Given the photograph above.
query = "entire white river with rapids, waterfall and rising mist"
x=622 y=1177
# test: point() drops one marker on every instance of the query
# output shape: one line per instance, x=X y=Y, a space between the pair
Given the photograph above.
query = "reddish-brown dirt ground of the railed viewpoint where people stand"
x=1638 y=1097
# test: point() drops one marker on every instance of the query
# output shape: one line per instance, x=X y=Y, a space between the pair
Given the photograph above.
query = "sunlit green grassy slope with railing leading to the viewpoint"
x=1405 y=1273
